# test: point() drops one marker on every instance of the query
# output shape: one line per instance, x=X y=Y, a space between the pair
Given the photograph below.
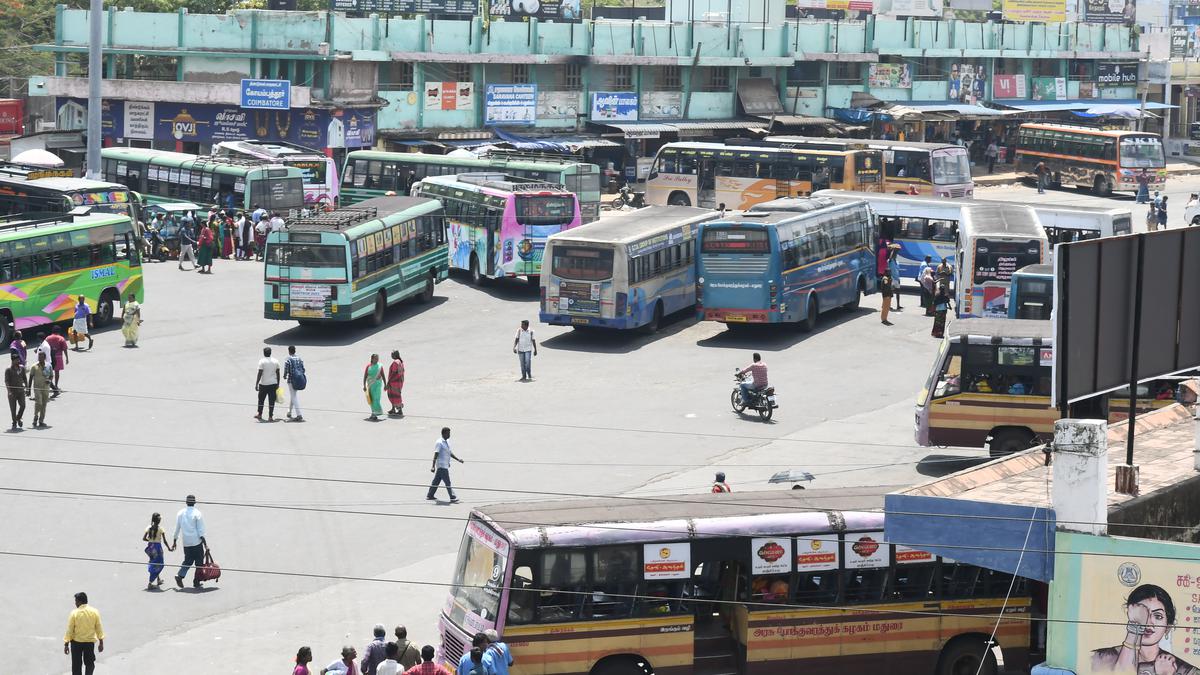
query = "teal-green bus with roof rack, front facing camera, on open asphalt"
x=356 y=262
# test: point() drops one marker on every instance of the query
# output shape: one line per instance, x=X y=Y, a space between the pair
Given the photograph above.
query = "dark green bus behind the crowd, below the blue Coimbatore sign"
x=230 y=183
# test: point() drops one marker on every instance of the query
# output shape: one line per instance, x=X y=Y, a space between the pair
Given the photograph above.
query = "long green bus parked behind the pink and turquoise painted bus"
x=370 y=174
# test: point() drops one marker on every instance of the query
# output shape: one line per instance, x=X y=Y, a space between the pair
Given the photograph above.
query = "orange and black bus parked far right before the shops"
x=1101 y=159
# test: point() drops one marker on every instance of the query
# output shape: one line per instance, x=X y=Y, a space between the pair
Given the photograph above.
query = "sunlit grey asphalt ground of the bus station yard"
x=323 y=528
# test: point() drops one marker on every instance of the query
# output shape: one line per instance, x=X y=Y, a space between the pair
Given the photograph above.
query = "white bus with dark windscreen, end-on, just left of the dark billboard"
x=994 y=242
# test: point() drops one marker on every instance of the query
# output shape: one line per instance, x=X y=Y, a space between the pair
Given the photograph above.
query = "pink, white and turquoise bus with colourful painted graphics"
x=497 y=224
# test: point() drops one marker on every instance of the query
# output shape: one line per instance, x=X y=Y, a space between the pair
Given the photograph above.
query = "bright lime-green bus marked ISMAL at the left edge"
x=46 y=264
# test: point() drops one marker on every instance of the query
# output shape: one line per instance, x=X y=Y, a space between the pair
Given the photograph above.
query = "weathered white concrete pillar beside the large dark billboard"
x=1081 y=474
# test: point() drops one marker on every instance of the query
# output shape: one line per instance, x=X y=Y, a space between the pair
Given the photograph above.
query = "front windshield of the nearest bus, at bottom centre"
x=478 y=576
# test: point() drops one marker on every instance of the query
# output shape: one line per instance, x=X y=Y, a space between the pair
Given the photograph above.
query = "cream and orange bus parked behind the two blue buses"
x=713 y=176
